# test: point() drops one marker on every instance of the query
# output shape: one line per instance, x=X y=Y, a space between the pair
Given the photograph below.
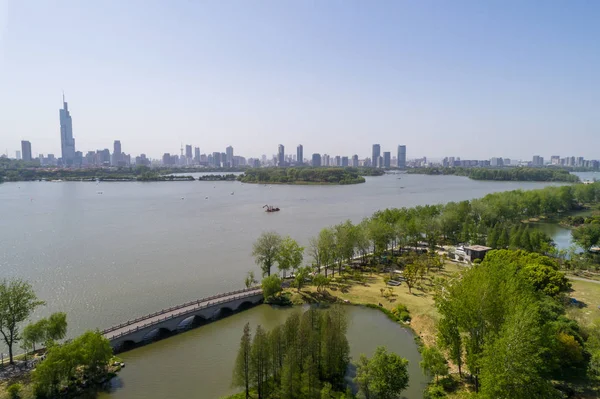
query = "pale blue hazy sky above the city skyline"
x=467 y=78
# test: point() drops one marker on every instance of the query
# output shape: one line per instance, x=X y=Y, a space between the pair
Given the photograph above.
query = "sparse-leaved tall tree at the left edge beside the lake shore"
x=17 y=302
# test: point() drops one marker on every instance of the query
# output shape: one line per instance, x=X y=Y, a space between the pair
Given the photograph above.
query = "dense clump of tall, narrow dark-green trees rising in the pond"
x=299 y=359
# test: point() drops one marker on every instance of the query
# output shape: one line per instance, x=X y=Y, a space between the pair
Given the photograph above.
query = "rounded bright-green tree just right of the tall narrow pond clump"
x=384 y=376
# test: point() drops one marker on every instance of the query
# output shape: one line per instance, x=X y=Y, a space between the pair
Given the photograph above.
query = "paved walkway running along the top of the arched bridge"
x=174 y=311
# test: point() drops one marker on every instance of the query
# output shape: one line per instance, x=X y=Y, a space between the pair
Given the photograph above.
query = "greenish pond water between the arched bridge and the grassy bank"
x=199 y=363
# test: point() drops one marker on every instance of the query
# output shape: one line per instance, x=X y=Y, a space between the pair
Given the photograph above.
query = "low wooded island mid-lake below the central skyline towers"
x=303 y=175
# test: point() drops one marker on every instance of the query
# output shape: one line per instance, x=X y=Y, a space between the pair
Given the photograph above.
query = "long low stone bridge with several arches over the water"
x=177 y=318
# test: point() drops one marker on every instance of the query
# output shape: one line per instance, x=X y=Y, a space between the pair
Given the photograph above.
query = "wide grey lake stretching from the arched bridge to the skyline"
x=107 y=252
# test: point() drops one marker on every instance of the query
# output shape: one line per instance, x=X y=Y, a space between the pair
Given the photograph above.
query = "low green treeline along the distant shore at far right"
x=502 y=174
